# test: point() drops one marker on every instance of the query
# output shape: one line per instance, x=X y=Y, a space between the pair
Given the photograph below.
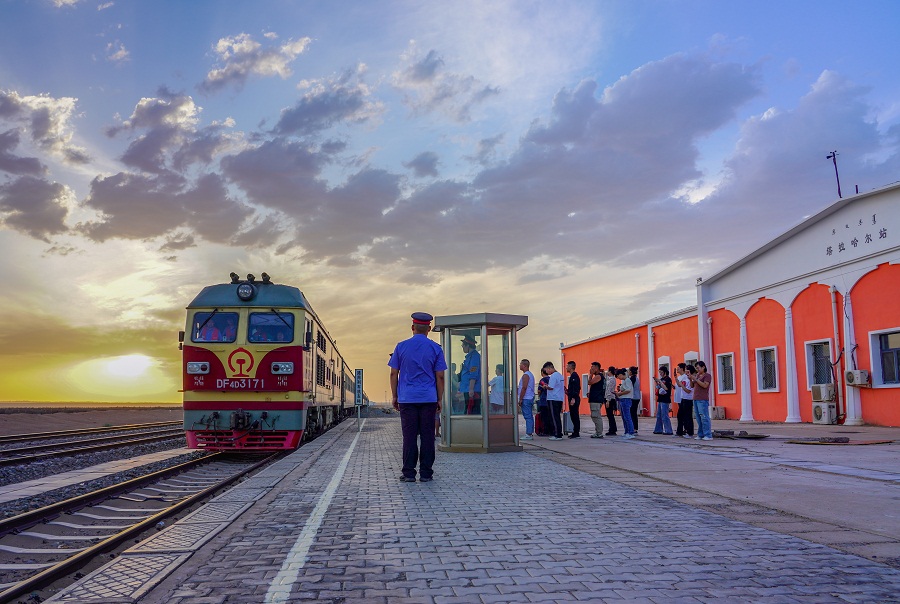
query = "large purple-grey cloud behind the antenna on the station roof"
x=778 y=173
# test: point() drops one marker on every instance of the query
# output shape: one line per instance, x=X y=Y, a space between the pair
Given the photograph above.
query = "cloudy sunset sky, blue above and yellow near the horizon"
x=578 y=162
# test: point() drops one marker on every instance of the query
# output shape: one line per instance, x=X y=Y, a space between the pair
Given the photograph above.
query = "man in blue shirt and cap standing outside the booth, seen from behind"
x=417 y=384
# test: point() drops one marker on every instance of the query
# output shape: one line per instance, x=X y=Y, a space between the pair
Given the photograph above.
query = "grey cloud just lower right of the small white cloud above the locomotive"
x=344 y=98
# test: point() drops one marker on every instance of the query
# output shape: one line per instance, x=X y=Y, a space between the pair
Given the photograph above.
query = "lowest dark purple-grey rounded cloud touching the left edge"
x=34 y=206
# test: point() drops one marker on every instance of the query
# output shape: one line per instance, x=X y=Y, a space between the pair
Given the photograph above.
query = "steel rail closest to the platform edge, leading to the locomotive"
x=68 y=565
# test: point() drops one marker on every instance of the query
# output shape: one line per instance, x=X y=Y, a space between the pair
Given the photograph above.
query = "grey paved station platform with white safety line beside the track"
x=598 y=520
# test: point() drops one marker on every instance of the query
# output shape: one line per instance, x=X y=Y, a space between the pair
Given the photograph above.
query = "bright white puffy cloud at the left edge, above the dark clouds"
x=47 y=120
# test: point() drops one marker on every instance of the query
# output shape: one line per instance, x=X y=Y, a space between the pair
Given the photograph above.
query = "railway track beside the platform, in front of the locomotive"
x=40 y=546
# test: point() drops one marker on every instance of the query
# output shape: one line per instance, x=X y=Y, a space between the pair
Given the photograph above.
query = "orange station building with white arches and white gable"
x=804 y=329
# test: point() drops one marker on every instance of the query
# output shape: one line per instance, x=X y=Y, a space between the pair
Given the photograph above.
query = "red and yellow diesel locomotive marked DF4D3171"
x=260 y=372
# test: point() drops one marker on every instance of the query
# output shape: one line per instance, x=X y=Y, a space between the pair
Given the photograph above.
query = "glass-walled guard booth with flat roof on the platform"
x=480 y=410
